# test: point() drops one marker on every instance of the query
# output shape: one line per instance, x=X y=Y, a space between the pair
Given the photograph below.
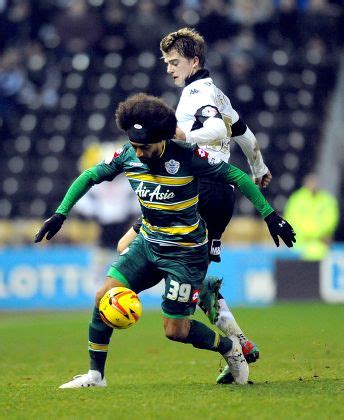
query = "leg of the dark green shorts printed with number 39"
x=184 y=275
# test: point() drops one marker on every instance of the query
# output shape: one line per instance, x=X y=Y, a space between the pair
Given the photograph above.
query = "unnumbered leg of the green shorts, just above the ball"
x=135 y=268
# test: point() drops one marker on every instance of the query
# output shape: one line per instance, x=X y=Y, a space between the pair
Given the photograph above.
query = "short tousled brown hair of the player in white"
x=187 y=42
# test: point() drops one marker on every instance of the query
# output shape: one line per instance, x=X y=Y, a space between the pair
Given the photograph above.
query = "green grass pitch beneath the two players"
x=299 y=375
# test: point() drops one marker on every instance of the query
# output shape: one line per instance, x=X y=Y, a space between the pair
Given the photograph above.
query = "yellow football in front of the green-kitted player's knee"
x=120 y=308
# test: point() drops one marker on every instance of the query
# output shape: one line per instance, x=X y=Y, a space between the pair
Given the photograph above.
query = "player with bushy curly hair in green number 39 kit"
x=172 y=242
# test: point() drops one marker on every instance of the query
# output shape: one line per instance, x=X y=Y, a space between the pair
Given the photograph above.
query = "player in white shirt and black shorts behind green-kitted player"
x=205 y=116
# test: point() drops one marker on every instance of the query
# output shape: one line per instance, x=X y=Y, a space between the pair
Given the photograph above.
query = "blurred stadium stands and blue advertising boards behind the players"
x=64 y=65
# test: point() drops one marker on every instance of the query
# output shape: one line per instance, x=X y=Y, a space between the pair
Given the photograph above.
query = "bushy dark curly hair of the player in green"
x=157 y=118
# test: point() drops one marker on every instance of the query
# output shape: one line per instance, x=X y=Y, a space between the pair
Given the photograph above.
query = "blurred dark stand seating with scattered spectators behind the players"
x=65 y=64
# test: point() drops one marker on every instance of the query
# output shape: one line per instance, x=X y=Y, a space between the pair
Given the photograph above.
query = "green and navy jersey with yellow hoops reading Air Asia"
x=167 y=190
